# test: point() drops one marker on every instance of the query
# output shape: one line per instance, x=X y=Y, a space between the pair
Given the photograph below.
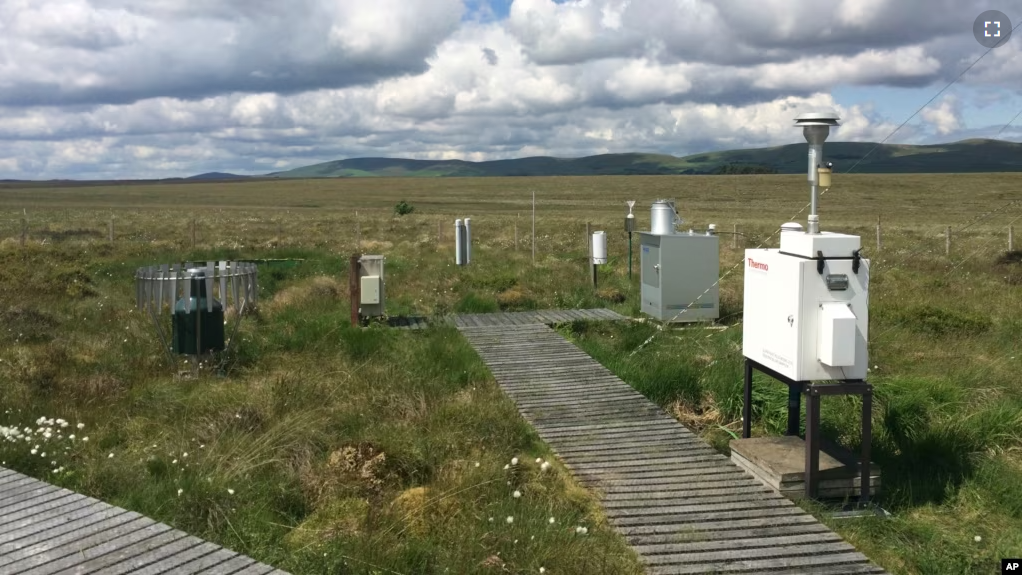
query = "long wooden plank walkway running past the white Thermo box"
x=684 y=508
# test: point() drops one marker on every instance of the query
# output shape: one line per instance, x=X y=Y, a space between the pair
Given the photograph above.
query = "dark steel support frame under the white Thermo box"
x=814 y=392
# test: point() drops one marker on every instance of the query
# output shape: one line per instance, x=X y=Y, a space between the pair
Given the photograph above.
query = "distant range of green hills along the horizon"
x=965 y=157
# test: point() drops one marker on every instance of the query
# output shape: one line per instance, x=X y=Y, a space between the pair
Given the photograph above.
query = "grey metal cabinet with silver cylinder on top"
x=679 y=272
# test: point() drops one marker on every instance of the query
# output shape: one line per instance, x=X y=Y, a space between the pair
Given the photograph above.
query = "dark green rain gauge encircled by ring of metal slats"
x=198 y=297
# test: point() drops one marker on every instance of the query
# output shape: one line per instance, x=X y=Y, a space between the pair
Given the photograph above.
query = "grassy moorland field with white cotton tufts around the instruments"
x=328 y=450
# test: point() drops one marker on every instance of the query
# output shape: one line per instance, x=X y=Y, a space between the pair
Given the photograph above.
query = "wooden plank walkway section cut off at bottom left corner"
x=50 y=531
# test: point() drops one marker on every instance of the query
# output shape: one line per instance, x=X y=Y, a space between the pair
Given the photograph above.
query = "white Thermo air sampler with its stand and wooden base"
x=806 y=322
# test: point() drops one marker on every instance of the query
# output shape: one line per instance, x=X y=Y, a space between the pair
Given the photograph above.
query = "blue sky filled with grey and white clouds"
x=96 y=89
